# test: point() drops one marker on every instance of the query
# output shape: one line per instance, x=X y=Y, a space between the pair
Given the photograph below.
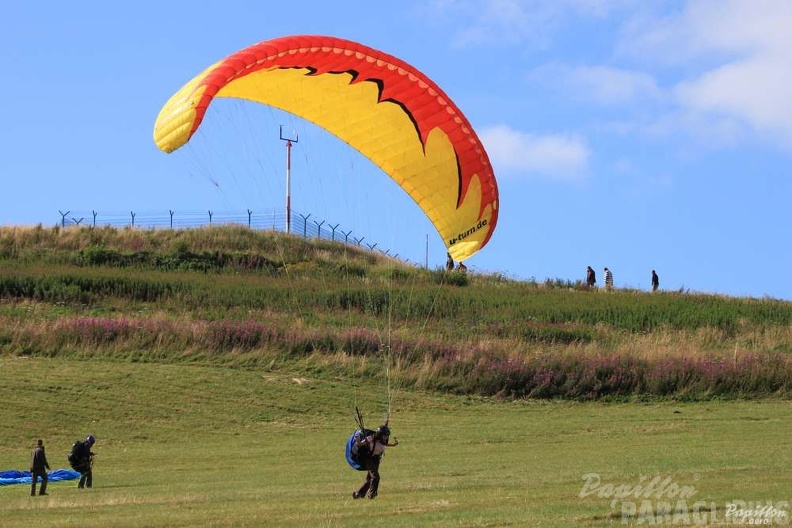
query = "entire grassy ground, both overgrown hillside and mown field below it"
x=219 y=370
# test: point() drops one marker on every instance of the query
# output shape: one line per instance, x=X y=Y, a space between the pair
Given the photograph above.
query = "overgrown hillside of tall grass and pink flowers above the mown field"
x=235 y=297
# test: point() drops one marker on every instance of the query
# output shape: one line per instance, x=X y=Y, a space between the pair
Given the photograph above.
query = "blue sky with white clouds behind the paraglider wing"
x=624 y=133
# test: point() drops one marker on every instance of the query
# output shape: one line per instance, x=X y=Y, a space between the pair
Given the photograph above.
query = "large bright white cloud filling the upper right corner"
x=736 y=58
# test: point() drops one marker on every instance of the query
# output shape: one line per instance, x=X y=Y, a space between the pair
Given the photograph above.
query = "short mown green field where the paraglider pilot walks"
x=186 y=445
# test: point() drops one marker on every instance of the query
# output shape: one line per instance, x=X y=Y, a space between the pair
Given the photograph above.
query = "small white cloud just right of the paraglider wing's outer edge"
x=560 y=157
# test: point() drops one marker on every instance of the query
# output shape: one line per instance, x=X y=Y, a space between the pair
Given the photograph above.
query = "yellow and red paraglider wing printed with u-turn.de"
x=378 y=104
